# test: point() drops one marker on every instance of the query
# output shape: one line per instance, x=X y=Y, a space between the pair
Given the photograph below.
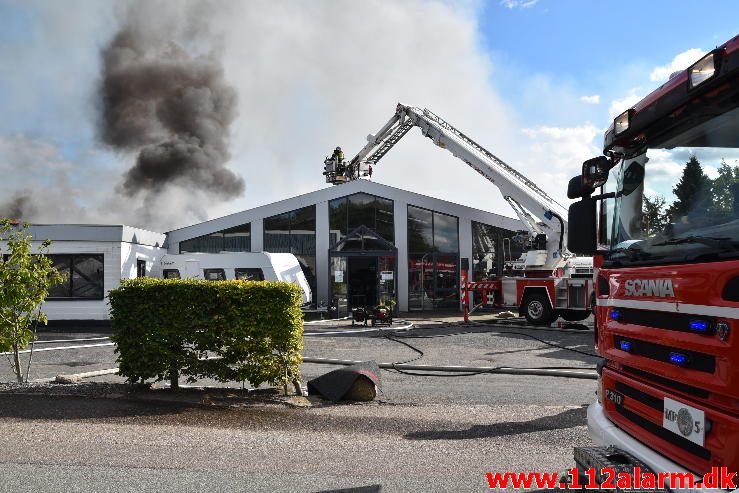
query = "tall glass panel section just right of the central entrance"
x=433 y=260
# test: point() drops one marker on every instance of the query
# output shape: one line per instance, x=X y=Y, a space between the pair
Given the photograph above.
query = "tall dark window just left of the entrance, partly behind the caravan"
x=294 y=232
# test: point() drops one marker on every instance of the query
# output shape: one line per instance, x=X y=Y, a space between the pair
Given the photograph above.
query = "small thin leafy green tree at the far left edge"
x=25 y=280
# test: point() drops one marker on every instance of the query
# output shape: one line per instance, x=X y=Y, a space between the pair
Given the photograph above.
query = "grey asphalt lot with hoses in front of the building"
x=423 y=433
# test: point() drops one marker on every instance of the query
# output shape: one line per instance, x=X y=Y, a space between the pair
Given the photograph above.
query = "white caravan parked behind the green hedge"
x=235 y=265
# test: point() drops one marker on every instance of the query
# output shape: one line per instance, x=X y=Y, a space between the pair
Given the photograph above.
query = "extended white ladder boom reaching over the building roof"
x=528 y=200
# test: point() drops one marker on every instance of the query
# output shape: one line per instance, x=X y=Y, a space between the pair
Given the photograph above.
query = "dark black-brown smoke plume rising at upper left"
x=170 y=107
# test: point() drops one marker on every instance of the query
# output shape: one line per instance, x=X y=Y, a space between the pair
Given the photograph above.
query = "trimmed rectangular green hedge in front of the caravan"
x=164 y=328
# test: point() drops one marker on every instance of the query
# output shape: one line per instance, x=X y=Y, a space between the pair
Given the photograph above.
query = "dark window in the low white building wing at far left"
x=84 y=277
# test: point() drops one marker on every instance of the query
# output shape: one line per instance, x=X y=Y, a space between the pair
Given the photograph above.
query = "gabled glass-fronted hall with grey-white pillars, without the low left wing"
x=362 y=243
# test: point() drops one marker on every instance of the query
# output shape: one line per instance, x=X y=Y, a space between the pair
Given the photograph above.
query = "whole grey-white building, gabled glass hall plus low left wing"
x=359 y=244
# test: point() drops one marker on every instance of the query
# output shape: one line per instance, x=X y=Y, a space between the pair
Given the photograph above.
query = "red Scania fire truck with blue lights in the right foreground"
x=660 y=212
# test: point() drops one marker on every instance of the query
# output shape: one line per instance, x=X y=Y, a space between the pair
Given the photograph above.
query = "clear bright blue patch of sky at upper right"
x=595 y=47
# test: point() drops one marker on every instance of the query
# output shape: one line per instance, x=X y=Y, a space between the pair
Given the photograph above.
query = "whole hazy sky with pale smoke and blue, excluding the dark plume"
x=534 y=81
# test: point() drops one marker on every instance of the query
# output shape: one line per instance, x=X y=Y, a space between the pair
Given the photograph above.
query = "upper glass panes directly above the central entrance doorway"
x=348 y=213
